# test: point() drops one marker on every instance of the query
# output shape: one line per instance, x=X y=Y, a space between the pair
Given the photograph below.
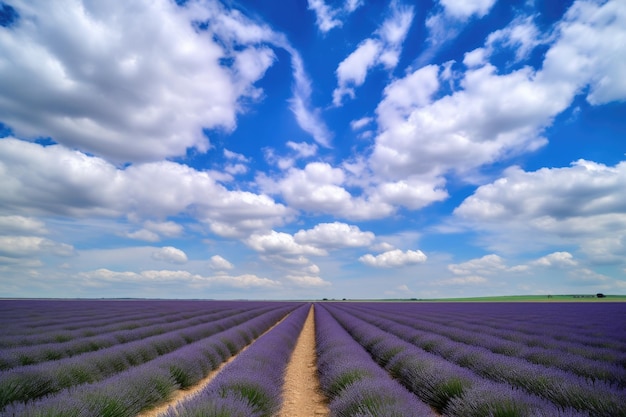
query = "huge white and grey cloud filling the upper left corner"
x=102 y=81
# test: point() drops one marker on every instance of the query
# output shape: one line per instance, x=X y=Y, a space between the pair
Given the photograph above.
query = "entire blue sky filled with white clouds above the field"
x=312 y=149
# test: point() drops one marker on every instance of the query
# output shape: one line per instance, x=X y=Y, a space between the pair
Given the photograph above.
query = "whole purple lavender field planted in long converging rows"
x=124 y=358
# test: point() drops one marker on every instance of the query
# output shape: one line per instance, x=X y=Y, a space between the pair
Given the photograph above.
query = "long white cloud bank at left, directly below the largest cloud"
x=56 y=180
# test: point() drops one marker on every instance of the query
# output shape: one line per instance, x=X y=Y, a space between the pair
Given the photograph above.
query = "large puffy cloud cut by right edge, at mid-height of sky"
x=583 y=205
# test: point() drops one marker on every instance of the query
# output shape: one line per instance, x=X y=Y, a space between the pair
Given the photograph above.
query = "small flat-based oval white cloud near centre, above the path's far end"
x=334 y=235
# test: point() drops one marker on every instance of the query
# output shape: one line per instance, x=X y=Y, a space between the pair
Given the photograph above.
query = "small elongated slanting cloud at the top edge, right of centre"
x=382 y=49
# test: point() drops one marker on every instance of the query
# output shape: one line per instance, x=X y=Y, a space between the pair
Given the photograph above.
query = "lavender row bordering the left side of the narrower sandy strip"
x=134 y=390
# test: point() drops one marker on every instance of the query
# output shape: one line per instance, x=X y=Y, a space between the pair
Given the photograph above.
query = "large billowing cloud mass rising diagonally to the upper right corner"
x=495 y=115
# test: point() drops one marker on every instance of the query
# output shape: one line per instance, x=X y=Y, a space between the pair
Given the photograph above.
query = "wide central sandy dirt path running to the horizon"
x=302 y=393
